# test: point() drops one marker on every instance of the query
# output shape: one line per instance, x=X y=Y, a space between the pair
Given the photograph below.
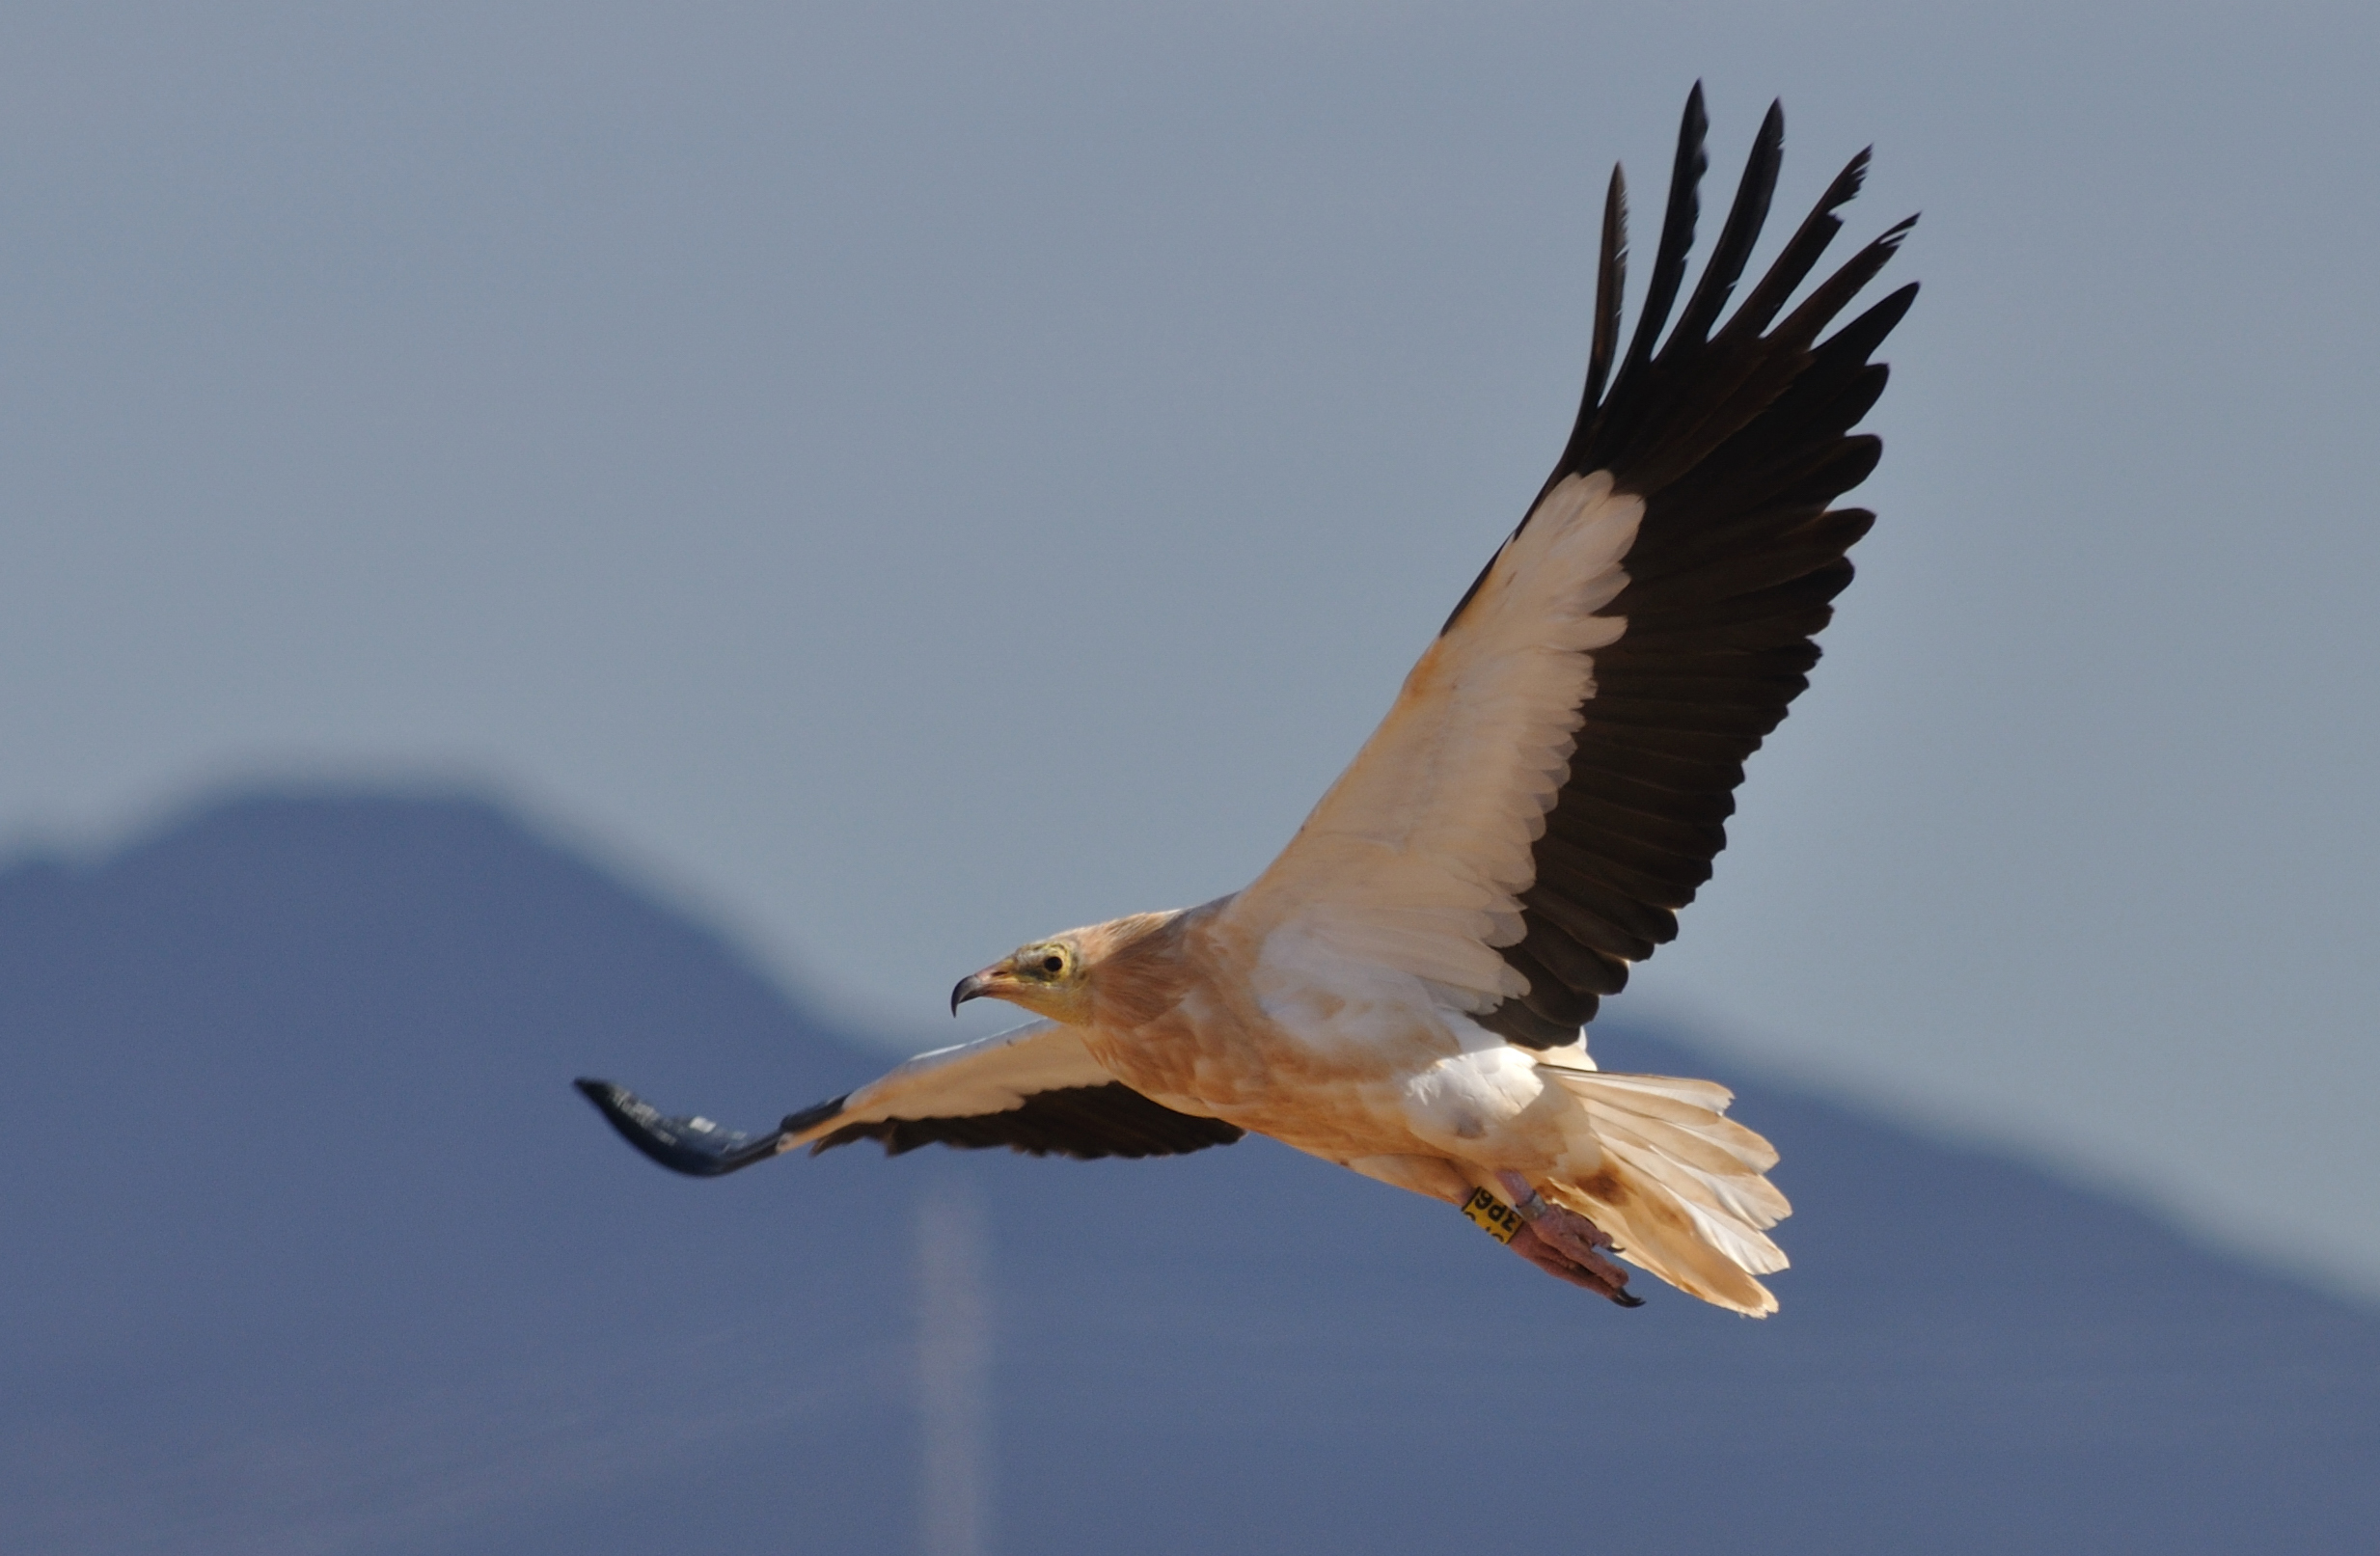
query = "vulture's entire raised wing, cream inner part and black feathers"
x=1551 y=786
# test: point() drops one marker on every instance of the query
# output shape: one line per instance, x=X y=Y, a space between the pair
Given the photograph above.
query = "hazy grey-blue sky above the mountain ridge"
x=913 y=477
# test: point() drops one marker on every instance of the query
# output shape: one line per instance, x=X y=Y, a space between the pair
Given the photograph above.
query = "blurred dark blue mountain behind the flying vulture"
x=306 y=1246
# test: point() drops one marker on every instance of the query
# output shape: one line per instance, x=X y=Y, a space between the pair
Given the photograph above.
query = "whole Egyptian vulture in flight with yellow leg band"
x=1405 y=989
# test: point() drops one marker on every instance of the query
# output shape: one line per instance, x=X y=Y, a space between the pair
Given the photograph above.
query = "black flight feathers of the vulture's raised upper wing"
x=1739 y=437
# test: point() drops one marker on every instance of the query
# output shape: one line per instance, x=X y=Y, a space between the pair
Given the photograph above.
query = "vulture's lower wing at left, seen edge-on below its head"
x=1034 y=1091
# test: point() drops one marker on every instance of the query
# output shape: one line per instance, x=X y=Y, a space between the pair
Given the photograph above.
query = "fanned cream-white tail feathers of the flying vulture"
x=1681 y=1186
